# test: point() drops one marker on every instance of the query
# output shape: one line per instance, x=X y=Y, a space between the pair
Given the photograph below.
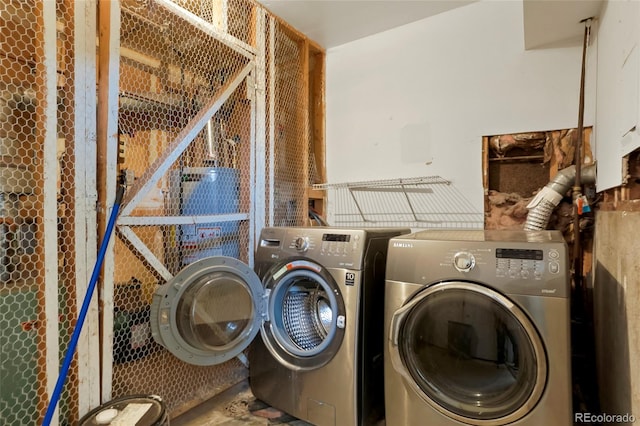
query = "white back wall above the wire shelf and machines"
x=417 y=100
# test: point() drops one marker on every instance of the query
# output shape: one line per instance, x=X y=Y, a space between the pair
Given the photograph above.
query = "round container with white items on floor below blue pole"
x=138 y=410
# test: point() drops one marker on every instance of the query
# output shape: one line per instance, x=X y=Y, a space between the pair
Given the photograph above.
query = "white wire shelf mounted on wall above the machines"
x=419 y=202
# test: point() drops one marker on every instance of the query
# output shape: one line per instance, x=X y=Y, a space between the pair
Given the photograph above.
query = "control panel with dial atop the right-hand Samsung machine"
x=533 y=263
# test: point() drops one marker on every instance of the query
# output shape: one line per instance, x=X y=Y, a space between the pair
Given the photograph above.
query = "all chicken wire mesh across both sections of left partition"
x=171 y=70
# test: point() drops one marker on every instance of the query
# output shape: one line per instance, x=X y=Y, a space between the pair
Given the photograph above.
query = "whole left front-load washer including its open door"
x=315 y=296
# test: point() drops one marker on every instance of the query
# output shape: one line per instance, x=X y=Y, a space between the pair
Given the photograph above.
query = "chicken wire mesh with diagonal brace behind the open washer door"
x=172 y=68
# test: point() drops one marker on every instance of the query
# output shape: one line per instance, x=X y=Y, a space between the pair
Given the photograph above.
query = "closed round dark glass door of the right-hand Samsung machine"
x=472 y=353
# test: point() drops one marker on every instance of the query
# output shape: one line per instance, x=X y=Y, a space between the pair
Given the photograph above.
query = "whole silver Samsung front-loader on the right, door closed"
x=477 y=328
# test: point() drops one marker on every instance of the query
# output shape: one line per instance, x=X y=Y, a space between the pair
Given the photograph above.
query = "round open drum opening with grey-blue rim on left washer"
x=306 y=314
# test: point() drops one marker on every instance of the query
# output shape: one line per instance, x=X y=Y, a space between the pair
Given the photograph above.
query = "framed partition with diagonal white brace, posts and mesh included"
x=218 y=138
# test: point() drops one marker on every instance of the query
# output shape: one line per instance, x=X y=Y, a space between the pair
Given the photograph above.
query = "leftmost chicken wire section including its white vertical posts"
x=47 y=192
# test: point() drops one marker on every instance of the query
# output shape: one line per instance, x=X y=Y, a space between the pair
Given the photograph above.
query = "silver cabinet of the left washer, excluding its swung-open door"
x=335 y=385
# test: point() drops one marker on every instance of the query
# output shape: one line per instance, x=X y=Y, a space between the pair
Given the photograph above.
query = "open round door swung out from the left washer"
x=209 y=312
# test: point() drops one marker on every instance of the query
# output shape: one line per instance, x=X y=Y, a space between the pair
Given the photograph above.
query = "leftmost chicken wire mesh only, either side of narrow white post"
x=23 y=117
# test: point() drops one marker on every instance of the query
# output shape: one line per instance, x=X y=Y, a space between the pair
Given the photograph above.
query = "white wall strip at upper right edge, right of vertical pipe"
x=618 y=92
